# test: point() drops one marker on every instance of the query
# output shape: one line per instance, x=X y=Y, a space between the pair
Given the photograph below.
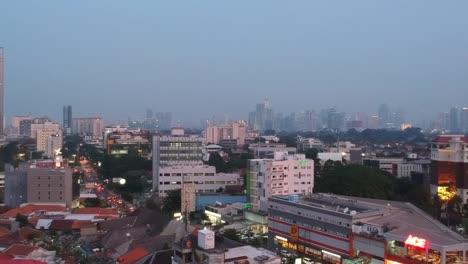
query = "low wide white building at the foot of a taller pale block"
x=204 y=178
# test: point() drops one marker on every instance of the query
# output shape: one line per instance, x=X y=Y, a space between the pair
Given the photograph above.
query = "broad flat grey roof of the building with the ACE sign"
x=401 y=219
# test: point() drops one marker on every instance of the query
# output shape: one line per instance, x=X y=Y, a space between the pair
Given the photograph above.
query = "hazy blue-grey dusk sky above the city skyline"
x=115 y=58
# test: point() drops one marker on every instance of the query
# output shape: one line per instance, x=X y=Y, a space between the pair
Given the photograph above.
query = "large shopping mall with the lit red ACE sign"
x=340 y=229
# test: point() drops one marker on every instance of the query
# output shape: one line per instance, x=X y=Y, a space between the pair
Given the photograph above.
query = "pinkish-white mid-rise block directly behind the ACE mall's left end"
x=284 y=174
